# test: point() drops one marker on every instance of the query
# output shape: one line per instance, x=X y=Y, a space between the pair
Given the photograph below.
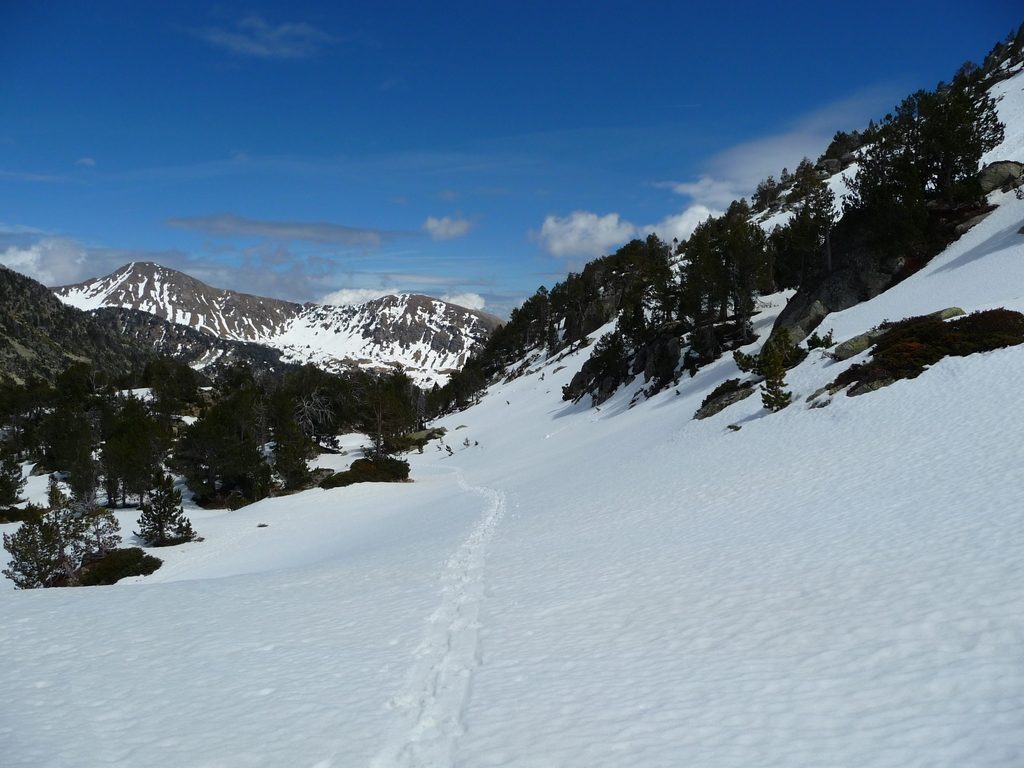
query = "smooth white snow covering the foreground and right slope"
x=838 y=586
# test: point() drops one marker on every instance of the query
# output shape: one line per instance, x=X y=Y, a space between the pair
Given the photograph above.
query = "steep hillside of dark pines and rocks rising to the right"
x=909 y=185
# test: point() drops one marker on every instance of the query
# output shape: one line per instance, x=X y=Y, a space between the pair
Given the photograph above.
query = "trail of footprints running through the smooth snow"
x=442 y=675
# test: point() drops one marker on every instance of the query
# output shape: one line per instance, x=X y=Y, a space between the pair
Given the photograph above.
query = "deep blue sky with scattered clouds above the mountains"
x=468 y=150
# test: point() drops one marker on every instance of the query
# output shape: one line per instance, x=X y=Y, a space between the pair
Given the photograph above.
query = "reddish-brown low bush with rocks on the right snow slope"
x=912 y=346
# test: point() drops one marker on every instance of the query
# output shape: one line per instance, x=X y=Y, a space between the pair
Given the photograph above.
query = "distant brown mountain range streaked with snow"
x=430 y=338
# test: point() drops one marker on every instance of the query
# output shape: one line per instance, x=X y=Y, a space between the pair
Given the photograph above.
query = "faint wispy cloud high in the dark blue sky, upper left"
x=255 y=37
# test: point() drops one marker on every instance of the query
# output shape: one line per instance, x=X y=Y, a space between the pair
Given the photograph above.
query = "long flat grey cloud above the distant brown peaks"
x=230 y=226
